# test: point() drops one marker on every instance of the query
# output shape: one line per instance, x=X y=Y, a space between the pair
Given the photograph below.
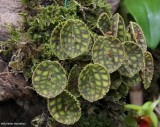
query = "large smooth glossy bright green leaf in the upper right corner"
x=147 y=14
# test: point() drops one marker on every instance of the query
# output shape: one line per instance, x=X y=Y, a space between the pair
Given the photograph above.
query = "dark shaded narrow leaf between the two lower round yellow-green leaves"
x=73 y=80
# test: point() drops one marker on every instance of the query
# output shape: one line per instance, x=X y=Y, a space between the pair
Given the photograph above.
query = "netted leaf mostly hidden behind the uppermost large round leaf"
x=55 y=43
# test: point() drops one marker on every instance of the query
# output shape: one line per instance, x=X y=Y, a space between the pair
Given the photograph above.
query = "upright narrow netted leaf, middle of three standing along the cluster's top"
x=118 y=27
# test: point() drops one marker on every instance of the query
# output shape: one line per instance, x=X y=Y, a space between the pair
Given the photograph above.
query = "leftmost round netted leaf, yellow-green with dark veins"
x=49 y=79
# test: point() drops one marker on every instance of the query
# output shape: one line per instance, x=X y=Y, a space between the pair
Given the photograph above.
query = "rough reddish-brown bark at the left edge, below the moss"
x=12 y=85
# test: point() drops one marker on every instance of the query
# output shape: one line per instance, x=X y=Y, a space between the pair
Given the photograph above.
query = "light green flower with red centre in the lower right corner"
x=145 y=113
